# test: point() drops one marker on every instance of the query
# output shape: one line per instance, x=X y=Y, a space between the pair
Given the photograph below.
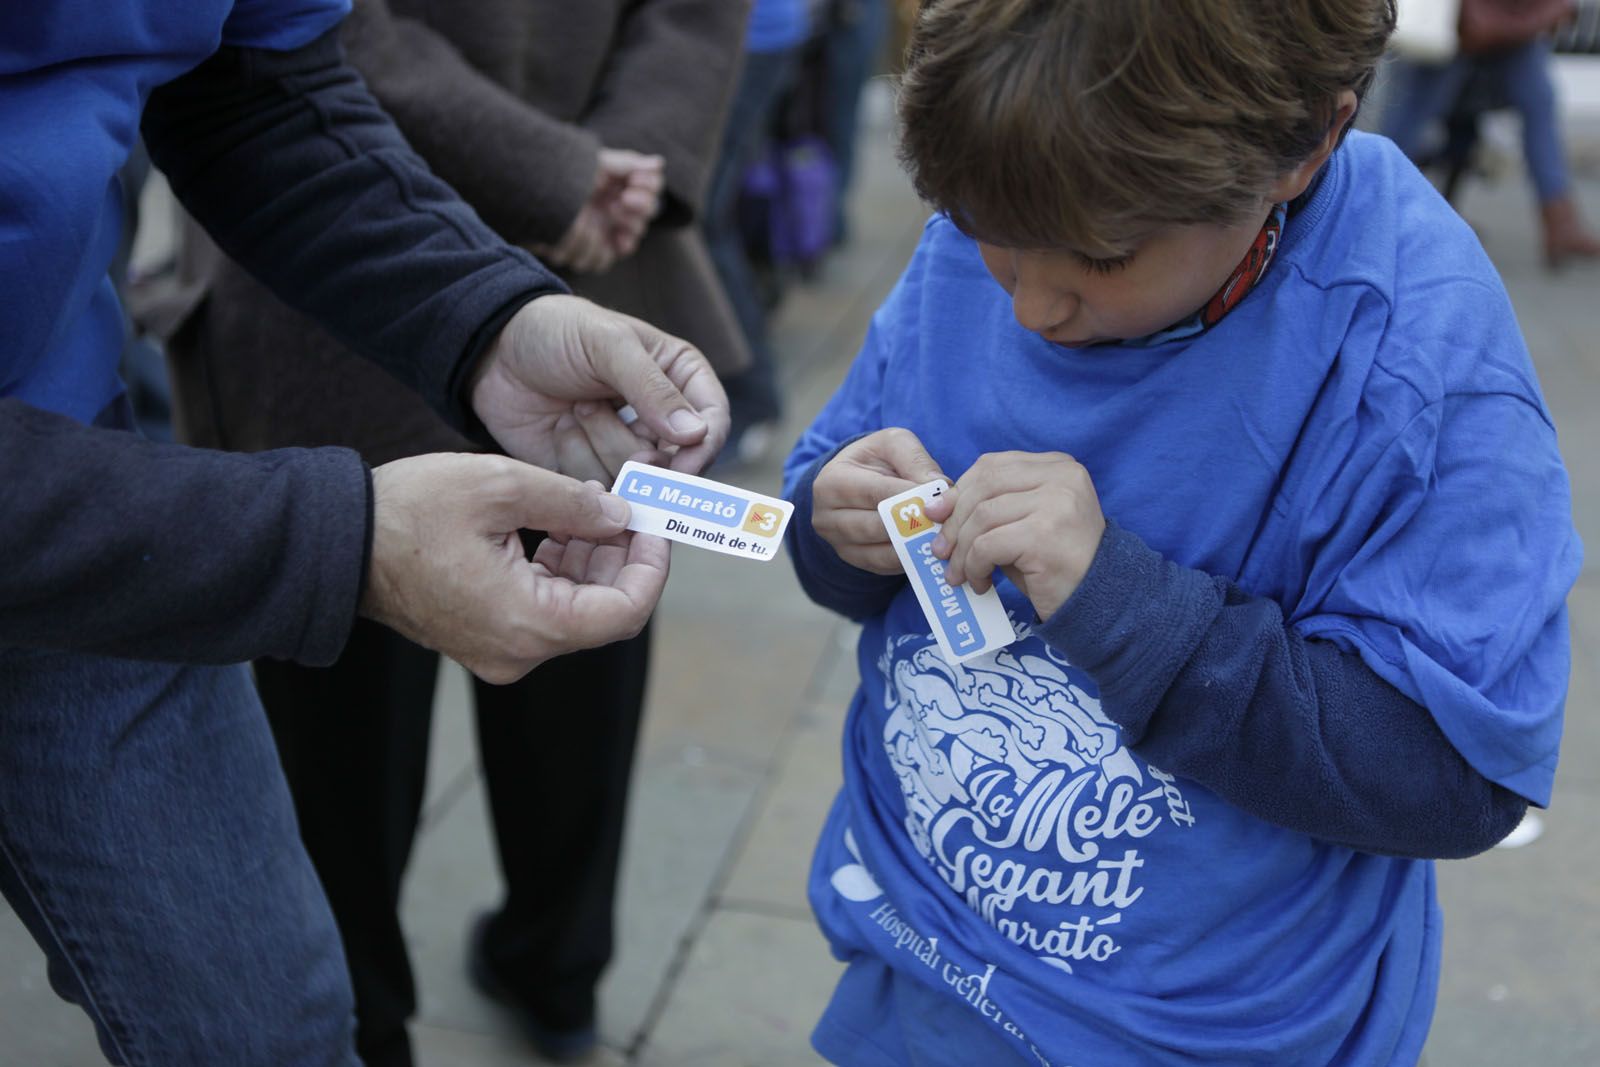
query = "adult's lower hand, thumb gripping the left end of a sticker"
x=449 y=569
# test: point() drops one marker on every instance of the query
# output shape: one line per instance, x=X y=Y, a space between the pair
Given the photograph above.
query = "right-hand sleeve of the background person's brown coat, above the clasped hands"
x=666 y=92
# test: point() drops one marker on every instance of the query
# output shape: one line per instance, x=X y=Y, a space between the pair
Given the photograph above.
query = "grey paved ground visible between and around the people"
x=721 y=964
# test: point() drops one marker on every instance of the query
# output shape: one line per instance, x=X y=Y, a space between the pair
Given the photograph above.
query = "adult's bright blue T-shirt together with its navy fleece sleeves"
x=122 y=548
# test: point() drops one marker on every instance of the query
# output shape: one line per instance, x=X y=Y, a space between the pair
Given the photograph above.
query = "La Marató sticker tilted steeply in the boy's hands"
x=966 y=625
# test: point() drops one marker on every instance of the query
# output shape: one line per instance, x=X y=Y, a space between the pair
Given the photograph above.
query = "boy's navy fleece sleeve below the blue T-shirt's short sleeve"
x=1212 y=684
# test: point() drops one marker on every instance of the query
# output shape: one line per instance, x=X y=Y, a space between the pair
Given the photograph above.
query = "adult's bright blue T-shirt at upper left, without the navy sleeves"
x=74 y=78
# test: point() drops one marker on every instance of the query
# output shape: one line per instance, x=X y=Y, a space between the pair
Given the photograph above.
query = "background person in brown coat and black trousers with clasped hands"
x=585 y=134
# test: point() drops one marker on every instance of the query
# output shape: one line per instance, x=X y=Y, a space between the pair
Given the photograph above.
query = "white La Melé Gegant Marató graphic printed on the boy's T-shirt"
x=1022 y=794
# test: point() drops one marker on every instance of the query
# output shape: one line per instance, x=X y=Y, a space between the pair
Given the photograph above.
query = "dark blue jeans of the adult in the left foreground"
x=150 y=845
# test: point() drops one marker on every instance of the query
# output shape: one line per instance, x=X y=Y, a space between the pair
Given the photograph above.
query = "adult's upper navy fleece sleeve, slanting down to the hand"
x=297 y=172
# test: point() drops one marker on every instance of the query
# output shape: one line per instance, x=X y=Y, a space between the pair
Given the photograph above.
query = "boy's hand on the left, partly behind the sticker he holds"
x=849 y=489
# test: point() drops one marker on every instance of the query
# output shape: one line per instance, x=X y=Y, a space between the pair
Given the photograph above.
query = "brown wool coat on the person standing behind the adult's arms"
x=508 y=102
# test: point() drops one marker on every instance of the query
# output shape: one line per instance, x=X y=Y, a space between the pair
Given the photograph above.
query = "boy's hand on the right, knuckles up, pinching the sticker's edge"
x=1036 y=516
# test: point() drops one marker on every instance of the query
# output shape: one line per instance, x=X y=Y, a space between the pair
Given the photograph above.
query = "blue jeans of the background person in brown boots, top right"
x=1420 y=95
